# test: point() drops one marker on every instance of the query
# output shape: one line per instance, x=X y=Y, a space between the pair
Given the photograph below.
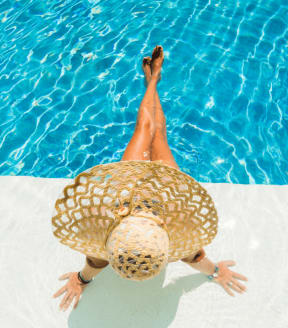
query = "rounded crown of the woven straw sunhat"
x=138 y=248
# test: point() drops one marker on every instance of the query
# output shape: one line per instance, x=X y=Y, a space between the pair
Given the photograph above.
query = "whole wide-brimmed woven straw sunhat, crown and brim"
x=138 y=215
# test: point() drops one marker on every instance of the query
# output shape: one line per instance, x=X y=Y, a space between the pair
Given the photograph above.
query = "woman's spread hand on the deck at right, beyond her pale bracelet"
x=227 y=278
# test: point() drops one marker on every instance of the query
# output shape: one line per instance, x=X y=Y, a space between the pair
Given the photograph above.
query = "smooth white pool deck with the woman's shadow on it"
x=253 y=231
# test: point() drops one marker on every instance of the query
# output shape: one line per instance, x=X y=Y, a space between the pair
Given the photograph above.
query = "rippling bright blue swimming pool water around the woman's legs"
x=71 y=83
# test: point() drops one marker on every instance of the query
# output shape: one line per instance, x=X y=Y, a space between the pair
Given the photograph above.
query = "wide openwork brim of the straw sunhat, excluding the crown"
x=88 y=210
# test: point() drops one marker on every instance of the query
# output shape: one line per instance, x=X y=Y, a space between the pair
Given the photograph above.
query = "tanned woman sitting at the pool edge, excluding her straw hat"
x=149 y=143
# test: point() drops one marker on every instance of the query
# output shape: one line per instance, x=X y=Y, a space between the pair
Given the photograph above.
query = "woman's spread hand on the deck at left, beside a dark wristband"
x=73 y=288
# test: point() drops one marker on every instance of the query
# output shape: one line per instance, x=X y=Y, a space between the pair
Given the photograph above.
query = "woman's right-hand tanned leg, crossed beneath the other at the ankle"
x=159 y=149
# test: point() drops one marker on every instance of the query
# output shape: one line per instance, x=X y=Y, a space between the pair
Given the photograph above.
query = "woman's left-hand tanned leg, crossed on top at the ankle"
x=139 y=147
